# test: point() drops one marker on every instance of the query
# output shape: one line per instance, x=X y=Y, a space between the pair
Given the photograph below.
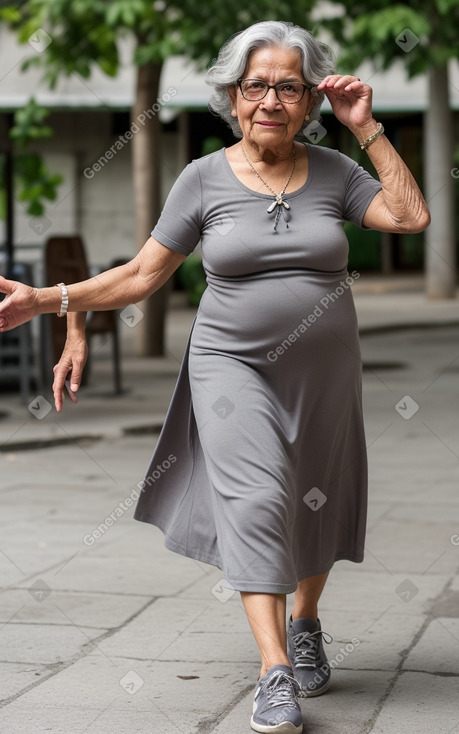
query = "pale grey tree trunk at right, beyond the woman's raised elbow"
x=438 y=156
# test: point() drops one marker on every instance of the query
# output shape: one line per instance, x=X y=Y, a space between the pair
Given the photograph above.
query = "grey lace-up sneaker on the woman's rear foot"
x=306 y=653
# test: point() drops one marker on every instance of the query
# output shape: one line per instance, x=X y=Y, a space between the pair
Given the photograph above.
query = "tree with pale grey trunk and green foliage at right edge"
x=422 y=34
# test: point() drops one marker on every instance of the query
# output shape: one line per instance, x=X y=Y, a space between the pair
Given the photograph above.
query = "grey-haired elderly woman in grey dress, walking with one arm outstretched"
x=269 y=478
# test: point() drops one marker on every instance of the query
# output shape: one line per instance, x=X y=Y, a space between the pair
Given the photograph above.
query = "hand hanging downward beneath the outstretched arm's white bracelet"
x=73 y=359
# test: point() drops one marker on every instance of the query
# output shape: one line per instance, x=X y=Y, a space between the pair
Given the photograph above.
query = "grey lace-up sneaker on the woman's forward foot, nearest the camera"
x=275 y=705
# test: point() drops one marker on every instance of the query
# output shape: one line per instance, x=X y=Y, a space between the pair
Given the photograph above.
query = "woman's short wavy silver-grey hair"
x=233 y=58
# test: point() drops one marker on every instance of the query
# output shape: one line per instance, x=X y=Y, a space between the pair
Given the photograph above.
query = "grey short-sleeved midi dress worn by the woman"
x=260 y=468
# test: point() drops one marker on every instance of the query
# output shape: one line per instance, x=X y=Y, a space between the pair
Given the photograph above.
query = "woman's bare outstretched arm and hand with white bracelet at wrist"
x=114 y=288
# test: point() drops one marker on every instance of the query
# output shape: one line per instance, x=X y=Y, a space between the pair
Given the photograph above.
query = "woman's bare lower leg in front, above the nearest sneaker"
x=266 y=615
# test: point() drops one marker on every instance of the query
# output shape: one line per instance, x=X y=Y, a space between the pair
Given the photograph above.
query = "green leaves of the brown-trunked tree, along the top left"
x=86 y=32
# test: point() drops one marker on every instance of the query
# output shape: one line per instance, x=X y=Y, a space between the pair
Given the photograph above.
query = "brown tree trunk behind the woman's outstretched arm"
x=147 y=198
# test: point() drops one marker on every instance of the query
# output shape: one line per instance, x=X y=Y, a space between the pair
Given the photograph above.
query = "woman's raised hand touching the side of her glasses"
x=350 y=100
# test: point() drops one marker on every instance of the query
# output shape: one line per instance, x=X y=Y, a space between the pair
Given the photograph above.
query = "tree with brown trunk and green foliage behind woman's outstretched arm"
x=82 y=34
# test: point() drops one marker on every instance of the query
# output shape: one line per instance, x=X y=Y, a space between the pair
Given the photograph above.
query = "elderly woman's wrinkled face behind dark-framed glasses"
x=269 y=123
